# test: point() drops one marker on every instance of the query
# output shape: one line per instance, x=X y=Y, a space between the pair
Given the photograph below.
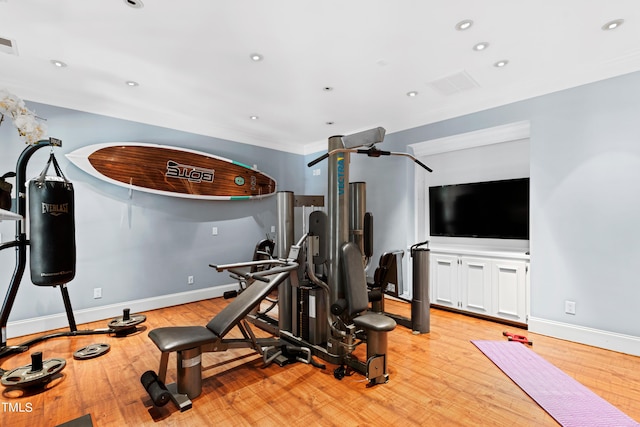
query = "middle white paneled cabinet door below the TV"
x=475 y=284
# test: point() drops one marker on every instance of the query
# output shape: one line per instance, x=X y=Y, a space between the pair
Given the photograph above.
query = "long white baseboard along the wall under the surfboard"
x=55 y=321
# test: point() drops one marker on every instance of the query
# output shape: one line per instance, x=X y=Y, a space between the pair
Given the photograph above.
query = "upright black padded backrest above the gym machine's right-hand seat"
x=354 y=278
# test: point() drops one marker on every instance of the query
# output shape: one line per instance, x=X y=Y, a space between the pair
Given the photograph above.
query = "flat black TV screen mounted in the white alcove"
x=492 y=209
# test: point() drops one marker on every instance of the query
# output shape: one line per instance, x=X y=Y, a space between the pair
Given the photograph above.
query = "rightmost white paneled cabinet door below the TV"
x=509 y=290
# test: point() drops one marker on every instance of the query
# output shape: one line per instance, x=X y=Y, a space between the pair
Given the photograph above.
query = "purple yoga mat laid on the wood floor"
x=565 y=399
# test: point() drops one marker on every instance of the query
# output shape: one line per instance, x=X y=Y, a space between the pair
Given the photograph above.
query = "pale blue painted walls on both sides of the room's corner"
x=585 y=206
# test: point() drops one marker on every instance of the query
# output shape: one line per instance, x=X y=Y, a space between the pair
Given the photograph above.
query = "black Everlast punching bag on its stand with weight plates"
x=52 y=263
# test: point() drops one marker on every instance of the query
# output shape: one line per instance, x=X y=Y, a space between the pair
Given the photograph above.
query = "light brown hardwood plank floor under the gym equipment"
x=436 y=379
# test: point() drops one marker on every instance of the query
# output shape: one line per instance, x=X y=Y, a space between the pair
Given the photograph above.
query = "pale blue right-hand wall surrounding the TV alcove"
x=585 y=198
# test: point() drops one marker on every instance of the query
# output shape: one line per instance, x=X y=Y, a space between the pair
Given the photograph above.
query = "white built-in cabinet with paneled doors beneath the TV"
x=482 y=282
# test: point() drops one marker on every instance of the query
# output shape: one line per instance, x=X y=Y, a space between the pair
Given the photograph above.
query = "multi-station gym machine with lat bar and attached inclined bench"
x=323 y=297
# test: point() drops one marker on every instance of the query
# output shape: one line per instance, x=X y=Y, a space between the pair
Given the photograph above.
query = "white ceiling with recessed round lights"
x=191 y=59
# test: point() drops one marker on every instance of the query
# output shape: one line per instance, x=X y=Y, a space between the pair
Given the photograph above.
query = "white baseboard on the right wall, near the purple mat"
x=627 y=344
